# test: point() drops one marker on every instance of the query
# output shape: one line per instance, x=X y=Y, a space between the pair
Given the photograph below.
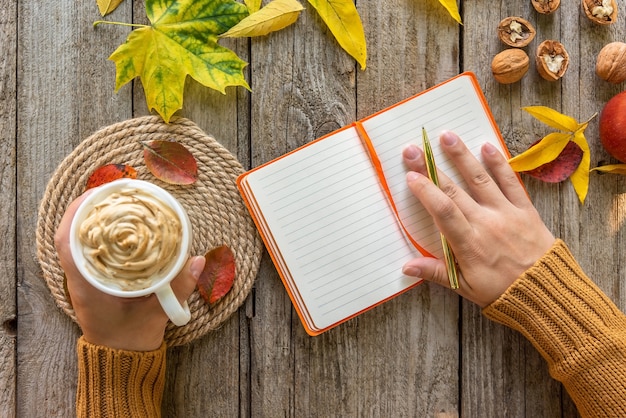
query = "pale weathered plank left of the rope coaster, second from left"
x=63 y=97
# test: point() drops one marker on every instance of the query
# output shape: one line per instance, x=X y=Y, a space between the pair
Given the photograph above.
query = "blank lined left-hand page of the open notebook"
x=330 y=229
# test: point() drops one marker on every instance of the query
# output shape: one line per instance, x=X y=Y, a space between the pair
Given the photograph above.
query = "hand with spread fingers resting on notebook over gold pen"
x=494 y=230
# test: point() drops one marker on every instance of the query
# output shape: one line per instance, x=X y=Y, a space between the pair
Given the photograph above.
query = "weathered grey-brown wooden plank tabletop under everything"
x=426 y=353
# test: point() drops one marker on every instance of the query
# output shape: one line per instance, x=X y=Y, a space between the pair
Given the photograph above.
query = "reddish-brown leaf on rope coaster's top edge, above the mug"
x=170 y=161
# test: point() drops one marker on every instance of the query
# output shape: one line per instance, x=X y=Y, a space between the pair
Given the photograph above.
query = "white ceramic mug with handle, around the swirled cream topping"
x=159 y=285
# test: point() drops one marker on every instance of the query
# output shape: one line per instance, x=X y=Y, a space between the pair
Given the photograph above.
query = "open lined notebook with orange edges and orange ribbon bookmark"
x=324 y=212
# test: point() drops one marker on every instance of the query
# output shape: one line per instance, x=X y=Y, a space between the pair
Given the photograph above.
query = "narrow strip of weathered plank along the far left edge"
x=8 y=276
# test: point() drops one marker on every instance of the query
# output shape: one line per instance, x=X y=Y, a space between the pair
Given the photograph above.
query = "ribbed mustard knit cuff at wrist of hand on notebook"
x=556 y=306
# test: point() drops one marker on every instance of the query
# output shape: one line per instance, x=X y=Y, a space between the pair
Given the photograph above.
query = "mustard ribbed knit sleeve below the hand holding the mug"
x=119 y=383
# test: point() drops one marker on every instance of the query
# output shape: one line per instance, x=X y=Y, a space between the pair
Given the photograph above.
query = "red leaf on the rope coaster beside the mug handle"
x=218 y=275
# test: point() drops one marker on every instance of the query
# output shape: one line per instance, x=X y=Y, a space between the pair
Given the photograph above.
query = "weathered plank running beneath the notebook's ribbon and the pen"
x=410 y=344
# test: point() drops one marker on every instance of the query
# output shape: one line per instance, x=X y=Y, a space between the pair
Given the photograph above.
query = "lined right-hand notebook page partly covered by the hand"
x=454 y=106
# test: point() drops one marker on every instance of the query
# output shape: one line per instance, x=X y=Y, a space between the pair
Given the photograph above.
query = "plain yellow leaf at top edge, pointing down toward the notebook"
x=344 y=22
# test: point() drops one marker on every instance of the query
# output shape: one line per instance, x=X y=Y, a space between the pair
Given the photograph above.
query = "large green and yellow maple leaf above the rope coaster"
x=181 y=41
